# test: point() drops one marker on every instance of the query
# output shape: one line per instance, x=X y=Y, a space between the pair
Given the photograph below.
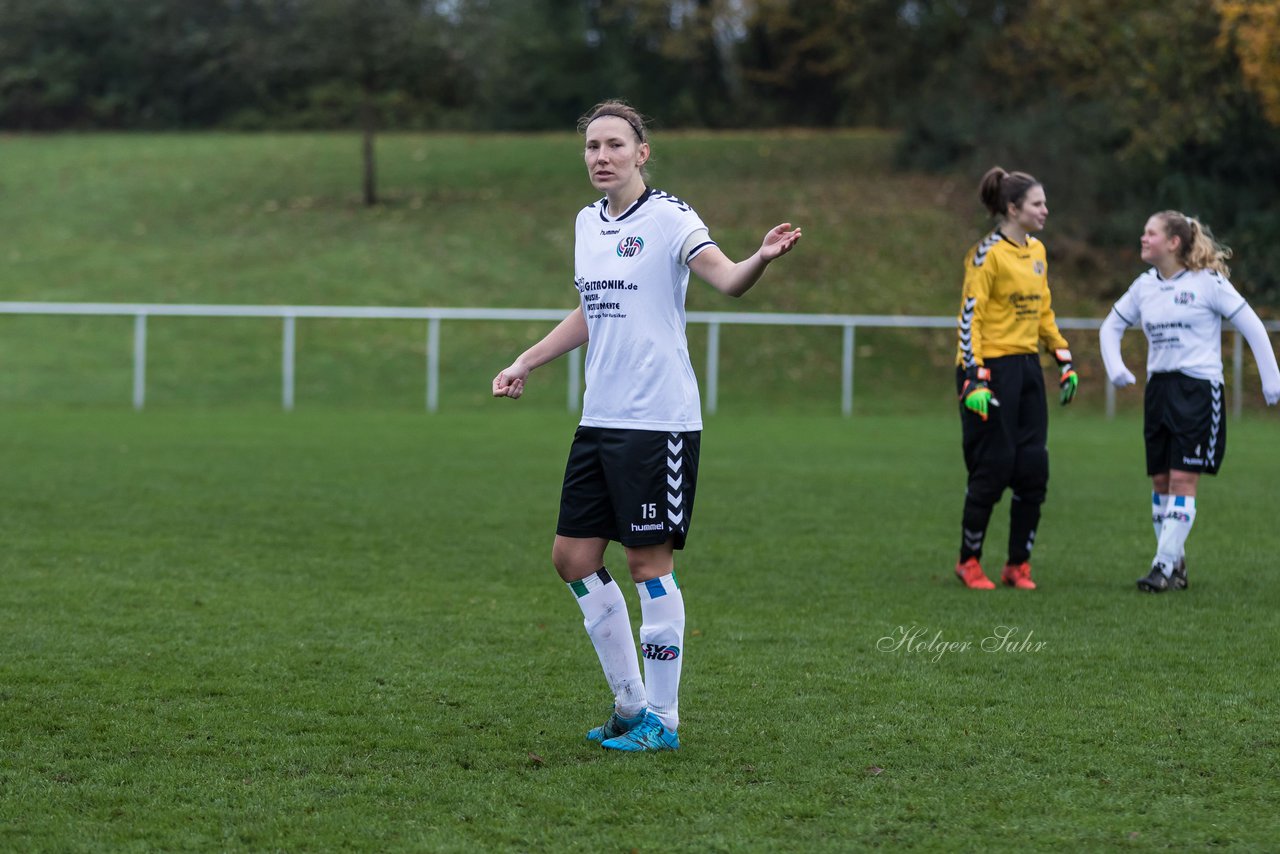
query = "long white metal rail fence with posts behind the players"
x=714 y=321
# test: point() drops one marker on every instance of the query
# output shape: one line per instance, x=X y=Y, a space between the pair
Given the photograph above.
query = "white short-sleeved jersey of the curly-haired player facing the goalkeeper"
x=1183 y=321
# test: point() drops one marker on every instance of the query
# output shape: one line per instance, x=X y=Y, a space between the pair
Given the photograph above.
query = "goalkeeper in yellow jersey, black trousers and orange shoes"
x=1004 y=317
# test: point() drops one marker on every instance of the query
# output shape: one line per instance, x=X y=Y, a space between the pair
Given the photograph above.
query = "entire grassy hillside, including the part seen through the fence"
x=468 y=221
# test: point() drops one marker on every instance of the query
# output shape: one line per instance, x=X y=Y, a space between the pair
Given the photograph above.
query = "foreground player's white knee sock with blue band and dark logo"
x=662 y=642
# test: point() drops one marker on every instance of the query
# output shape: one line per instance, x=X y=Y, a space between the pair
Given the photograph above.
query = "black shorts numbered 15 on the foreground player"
x=634 y=487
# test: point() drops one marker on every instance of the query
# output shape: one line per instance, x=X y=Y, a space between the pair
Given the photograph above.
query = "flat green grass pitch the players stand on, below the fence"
x=341 y=632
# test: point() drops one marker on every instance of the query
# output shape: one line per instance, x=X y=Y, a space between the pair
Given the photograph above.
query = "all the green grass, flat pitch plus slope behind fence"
x=223 y=628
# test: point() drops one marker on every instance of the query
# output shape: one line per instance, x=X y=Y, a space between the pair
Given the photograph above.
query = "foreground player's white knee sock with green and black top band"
x=605 y=616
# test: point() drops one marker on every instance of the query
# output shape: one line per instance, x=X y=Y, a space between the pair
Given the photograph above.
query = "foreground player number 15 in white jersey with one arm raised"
x=633 y=467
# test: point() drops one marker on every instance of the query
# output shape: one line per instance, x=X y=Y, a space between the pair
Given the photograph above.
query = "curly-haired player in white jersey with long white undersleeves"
x=1181 y=303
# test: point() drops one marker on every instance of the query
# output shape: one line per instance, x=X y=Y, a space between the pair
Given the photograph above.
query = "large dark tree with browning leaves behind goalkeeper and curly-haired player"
x=1122 y=108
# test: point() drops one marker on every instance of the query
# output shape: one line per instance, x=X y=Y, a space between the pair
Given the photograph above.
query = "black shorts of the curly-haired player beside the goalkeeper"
x=1185 y=424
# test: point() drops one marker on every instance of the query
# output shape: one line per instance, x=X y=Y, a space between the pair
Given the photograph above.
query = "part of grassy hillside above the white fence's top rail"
x=468 y=221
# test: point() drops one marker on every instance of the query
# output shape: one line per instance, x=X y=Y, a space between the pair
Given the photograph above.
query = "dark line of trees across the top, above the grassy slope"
x=1122 y=107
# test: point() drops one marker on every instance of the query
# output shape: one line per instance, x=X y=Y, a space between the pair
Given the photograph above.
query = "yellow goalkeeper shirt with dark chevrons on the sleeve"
x=1005 y=307
